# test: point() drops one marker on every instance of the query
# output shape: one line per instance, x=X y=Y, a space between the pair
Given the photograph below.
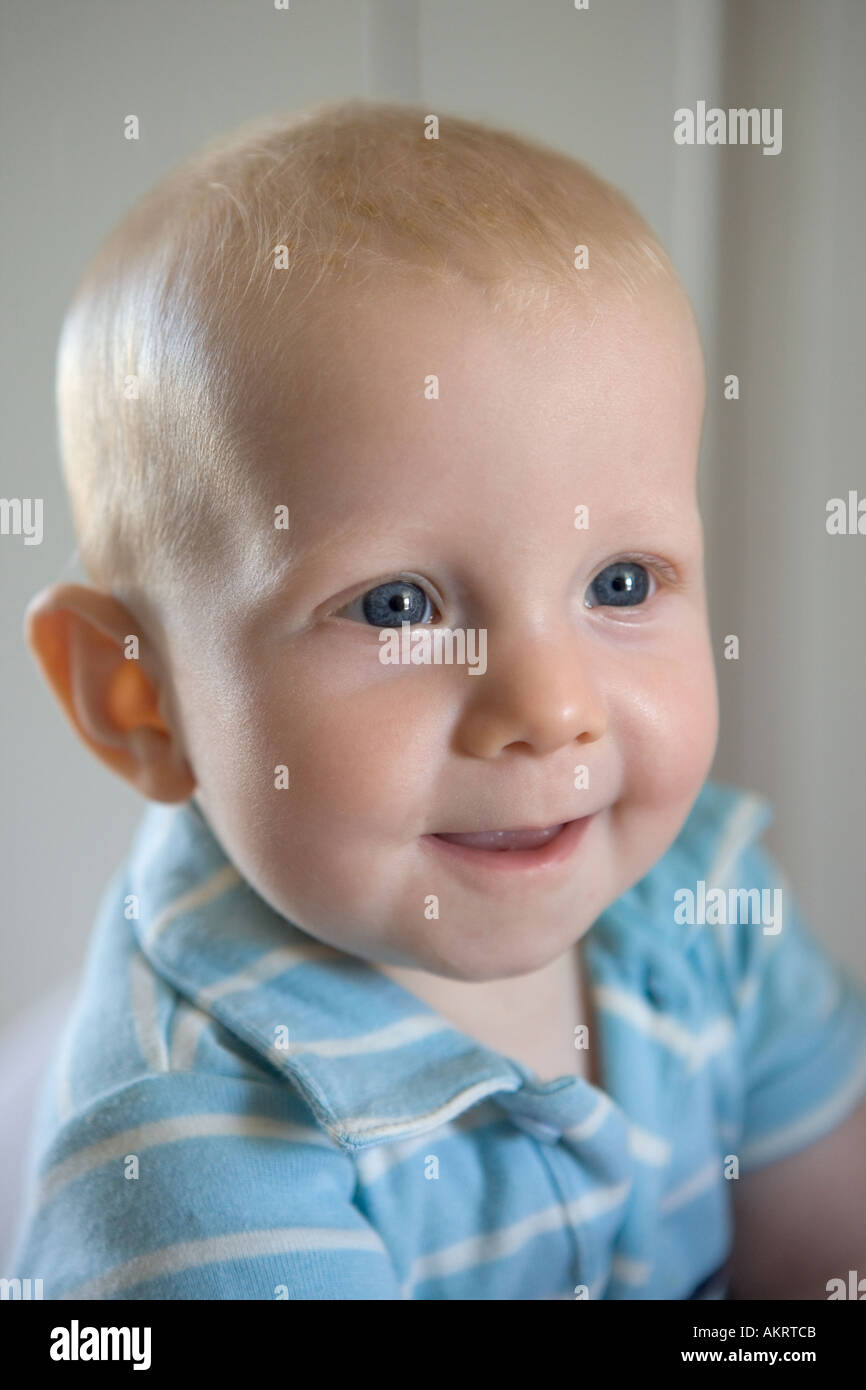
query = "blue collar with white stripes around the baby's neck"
x=372 y=1060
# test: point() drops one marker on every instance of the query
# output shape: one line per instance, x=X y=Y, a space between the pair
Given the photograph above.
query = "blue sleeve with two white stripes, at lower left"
x=186 y=1186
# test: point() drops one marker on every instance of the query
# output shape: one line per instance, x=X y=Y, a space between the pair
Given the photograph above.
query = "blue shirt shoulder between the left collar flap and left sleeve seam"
x=136 y=1053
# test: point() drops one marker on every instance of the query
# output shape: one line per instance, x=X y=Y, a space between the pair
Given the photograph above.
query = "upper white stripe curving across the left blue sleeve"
x=223 y=1125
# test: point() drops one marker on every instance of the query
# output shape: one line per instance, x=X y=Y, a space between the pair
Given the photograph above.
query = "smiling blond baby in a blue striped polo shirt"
x=394 y=996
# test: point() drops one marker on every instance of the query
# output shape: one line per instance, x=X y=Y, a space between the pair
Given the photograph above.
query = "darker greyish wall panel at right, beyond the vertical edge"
x=790 y=325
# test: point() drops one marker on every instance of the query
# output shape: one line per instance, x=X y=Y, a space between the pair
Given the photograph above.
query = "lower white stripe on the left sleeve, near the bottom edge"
x=245 y=1245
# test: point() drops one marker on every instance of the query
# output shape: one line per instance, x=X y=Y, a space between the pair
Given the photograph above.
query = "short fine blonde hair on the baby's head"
x=159 y=351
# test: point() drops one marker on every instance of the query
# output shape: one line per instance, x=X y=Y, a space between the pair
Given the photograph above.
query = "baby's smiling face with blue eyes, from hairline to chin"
x=461 y=512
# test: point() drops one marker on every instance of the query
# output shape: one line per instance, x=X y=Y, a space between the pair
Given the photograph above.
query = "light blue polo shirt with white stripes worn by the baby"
x=238 y=1111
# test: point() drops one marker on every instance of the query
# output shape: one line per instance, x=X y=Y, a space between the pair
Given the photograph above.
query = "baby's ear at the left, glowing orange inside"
x=117 y=703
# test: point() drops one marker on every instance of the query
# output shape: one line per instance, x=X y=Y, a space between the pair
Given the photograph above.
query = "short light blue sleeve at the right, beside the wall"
x=801 y=1020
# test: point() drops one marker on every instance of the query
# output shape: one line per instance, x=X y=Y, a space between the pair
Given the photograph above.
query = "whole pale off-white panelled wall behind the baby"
x=767 y=247
